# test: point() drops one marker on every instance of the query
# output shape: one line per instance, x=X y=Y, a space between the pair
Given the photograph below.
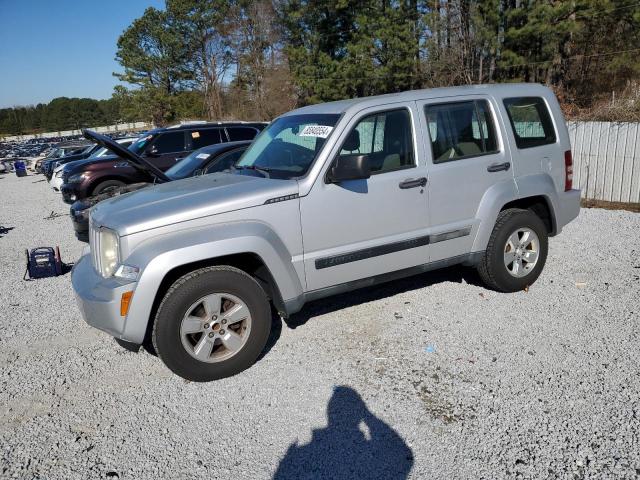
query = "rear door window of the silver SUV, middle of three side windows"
x=460 y=130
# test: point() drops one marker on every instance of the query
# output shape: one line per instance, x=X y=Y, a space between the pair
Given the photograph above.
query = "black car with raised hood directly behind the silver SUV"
x=211 y=159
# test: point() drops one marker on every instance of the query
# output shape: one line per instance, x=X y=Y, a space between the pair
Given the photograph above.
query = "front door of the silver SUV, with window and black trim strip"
x=361 y=228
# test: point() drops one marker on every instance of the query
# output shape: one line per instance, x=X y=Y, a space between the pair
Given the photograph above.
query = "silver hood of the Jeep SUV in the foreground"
x=182 y=200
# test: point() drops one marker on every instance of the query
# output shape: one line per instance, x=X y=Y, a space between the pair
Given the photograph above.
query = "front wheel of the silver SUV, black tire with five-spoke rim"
x=183 y=344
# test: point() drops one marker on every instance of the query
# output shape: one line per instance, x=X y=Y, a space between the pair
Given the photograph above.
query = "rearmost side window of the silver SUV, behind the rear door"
x=531 y=121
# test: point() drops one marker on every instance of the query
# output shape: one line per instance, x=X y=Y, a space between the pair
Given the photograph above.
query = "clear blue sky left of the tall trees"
x=61 y=48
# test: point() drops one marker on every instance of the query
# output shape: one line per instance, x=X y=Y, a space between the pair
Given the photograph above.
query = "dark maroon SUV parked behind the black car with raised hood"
x=163 y=147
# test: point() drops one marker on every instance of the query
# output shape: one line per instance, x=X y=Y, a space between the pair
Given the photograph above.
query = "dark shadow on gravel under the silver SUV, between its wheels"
x=455 y=274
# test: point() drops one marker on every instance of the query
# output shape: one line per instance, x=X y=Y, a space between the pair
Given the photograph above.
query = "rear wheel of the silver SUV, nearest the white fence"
x=494 y=269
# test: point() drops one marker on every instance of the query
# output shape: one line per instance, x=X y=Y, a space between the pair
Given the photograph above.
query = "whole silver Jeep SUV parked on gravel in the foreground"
x=330 y=198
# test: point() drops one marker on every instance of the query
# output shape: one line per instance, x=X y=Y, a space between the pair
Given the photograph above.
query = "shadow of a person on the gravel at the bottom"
x=342 y=450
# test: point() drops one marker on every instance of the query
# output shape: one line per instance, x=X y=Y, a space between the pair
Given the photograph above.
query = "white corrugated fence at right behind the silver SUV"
x=606 y=160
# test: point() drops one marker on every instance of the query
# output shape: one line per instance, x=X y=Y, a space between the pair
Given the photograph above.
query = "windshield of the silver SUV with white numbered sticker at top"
x=287 y=147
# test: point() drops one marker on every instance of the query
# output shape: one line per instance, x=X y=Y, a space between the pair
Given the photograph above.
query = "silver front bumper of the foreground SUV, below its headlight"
x=99 y=299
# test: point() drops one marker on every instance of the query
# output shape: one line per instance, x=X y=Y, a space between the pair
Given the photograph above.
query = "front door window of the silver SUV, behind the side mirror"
x=386 y=138
